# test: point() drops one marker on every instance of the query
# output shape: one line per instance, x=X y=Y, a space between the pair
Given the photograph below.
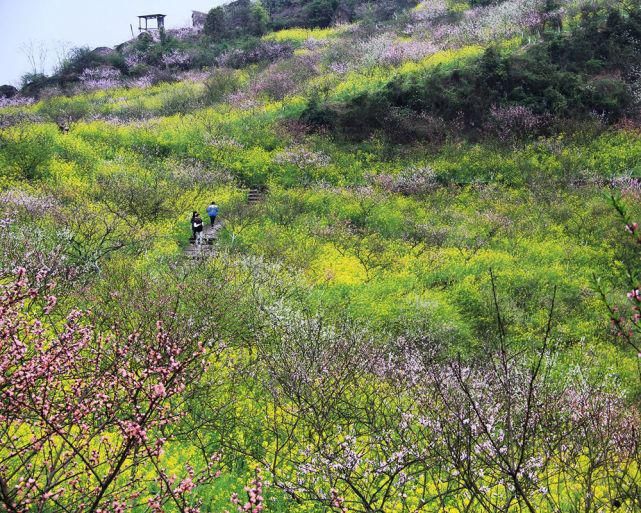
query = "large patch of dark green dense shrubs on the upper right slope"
x=584 y=72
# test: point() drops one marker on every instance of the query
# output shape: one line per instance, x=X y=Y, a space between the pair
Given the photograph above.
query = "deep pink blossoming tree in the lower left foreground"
x=84 y=416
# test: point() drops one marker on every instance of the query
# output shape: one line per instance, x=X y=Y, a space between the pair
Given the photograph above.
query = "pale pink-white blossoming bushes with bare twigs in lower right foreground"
x=357 y=419
